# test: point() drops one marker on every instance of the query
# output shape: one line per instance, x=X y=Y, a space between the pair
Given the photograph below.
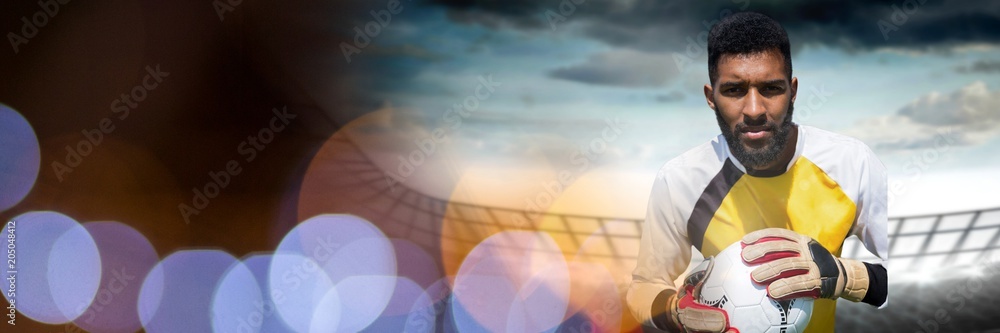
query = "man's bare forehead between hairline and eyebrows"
x=762 y=66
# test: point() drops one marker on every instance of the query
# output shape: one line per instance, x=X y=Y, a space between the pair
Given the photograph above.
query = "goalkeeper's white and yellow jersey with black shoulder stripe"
x=704 y=199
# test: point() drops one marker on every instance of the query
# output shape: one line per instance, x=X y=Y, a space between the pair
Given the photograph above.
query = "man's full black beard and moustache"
x=756 y=158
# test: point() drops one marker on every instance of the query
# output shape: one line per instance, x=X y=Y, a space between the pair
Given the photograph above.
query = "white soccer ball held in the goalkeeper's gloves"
x=750 y=310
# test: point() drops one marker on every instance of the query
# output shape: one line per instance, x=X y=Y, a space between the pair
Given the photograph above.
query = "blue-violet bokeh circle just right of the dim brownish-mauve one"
x=176 y=295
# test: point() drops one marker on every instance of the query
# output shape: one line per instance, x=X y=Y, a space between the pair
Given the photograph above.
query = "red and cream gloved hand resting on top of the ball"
x=794 y=265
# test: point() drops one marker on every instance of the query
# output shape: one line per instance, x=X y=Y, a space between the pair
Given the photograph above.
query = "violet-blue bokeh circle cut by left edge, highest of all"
x=21 y=157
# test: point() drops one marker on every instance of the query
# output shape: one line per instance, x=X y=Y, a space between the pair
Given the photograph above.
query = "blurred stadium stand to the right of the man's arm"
x=943 y=276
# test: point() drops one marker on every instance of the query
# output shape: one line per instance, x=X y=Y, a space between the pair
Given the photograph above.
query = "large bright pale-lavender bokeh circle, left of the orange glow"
x=334 y=250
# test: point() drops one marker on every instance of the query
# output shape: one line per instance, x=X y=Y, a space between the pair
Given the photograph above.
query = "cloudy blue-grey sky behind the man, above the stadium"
x=919 y=83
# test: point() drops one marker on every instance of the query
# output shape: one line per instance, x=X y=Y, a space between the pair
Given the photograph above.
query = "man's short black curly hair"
x=746 y=33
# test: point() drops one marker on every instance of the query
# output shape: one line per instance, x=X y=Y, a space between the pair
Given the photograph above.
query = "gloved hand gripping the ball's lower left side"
x=691 y=316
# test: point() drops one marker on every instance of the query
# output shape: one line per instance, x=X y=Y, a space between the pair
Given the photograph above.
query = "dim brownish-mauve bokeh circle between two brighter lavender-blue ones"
x=126 y=258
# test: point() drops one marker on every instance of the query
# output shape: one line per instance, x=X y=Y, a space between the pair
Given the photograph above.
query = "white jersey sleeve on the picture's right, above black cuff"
x=872 y=221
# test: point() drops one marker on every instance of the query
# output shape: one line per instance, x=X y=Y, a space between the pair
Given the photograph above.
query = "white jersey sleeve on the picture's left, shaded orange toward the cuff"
x=664 y=254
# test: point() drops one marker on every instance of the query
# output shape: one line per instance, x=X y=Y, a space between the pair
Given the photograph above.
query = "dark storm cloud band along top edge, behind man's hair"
x=666 y=26
